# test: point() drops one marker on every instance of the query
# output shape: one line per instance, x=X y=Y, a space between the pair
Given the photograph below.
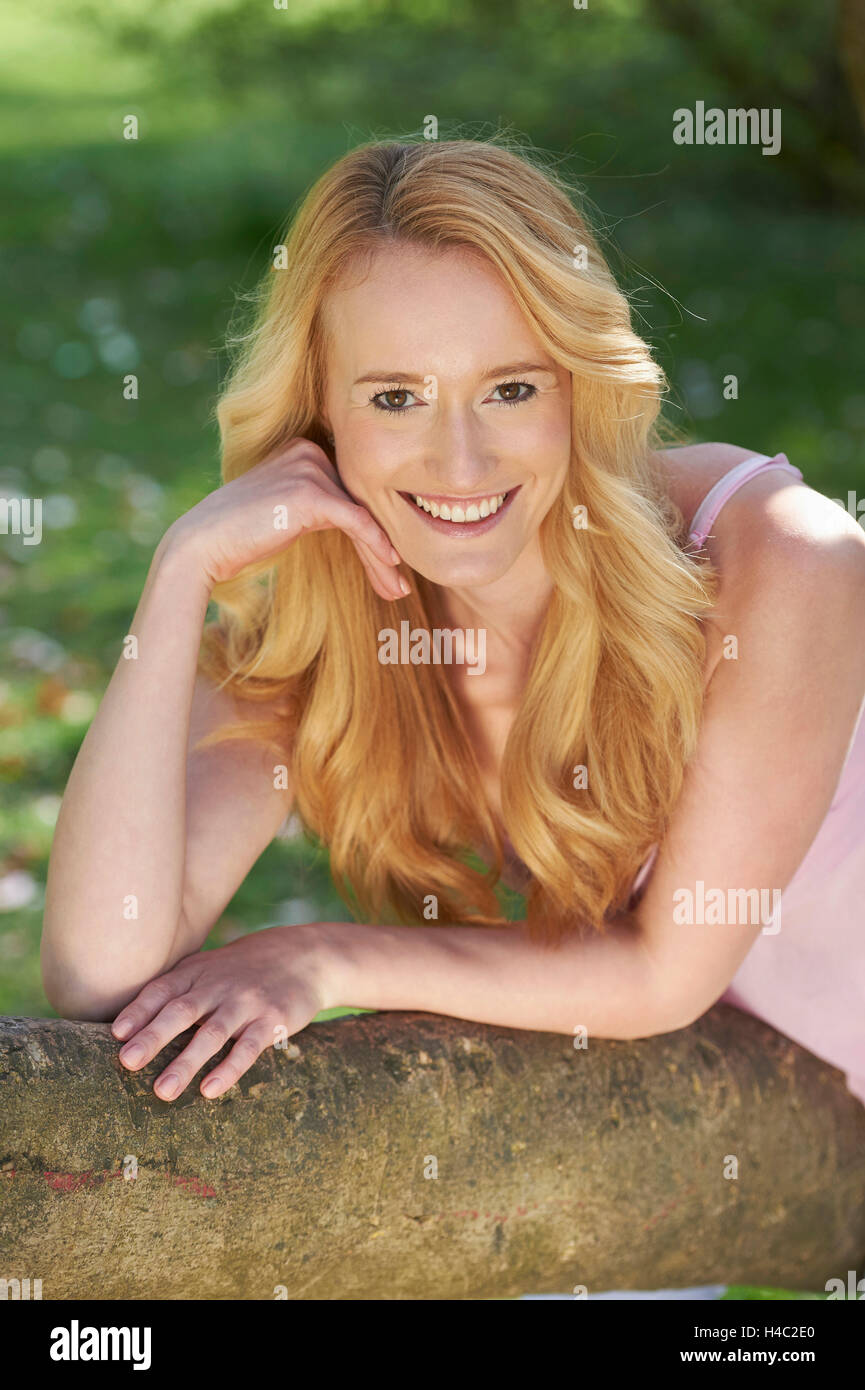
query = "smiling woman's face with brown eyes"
x=439 y=390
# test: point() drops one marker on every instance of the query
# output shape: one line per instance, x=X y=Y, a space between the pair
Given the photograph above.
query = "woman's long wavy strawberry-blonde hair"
x=382 y=765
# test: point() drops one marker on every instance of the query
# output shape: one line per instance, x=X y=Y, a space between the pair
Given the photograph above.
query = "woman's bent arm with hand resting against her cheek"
x=152 y=837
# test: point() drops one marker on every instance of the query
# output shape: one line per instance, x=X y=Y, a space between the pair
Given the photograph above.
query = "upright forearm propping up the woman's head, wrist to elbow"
x=116 y=871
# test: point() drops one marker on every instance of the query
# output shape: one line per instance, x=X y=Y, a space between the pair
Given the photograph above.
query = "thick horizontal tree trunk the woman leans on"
x=556 y=1167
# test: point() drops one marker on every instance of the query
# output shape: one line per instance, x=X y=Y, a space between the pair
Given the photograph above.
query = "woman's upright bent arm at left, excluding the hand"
x=124 y=894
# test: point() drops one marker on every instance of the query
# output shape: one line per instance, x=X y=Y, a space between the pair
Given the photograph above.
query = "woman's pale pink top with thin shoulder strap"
x=809 y=979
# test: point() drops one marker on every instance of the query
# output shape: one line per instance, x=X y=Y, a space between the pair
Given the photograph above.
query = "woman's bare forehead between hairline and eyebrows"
x=442 y=309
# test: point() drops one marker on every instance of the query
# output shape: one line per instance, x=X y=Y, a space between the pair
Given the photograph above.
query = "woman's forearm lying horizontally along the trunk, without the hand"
x=606 y=983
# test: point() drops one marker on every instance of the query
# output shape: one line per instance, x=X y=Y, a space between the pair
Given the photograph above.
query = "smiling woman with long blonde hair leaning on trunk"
x=443 y=419
